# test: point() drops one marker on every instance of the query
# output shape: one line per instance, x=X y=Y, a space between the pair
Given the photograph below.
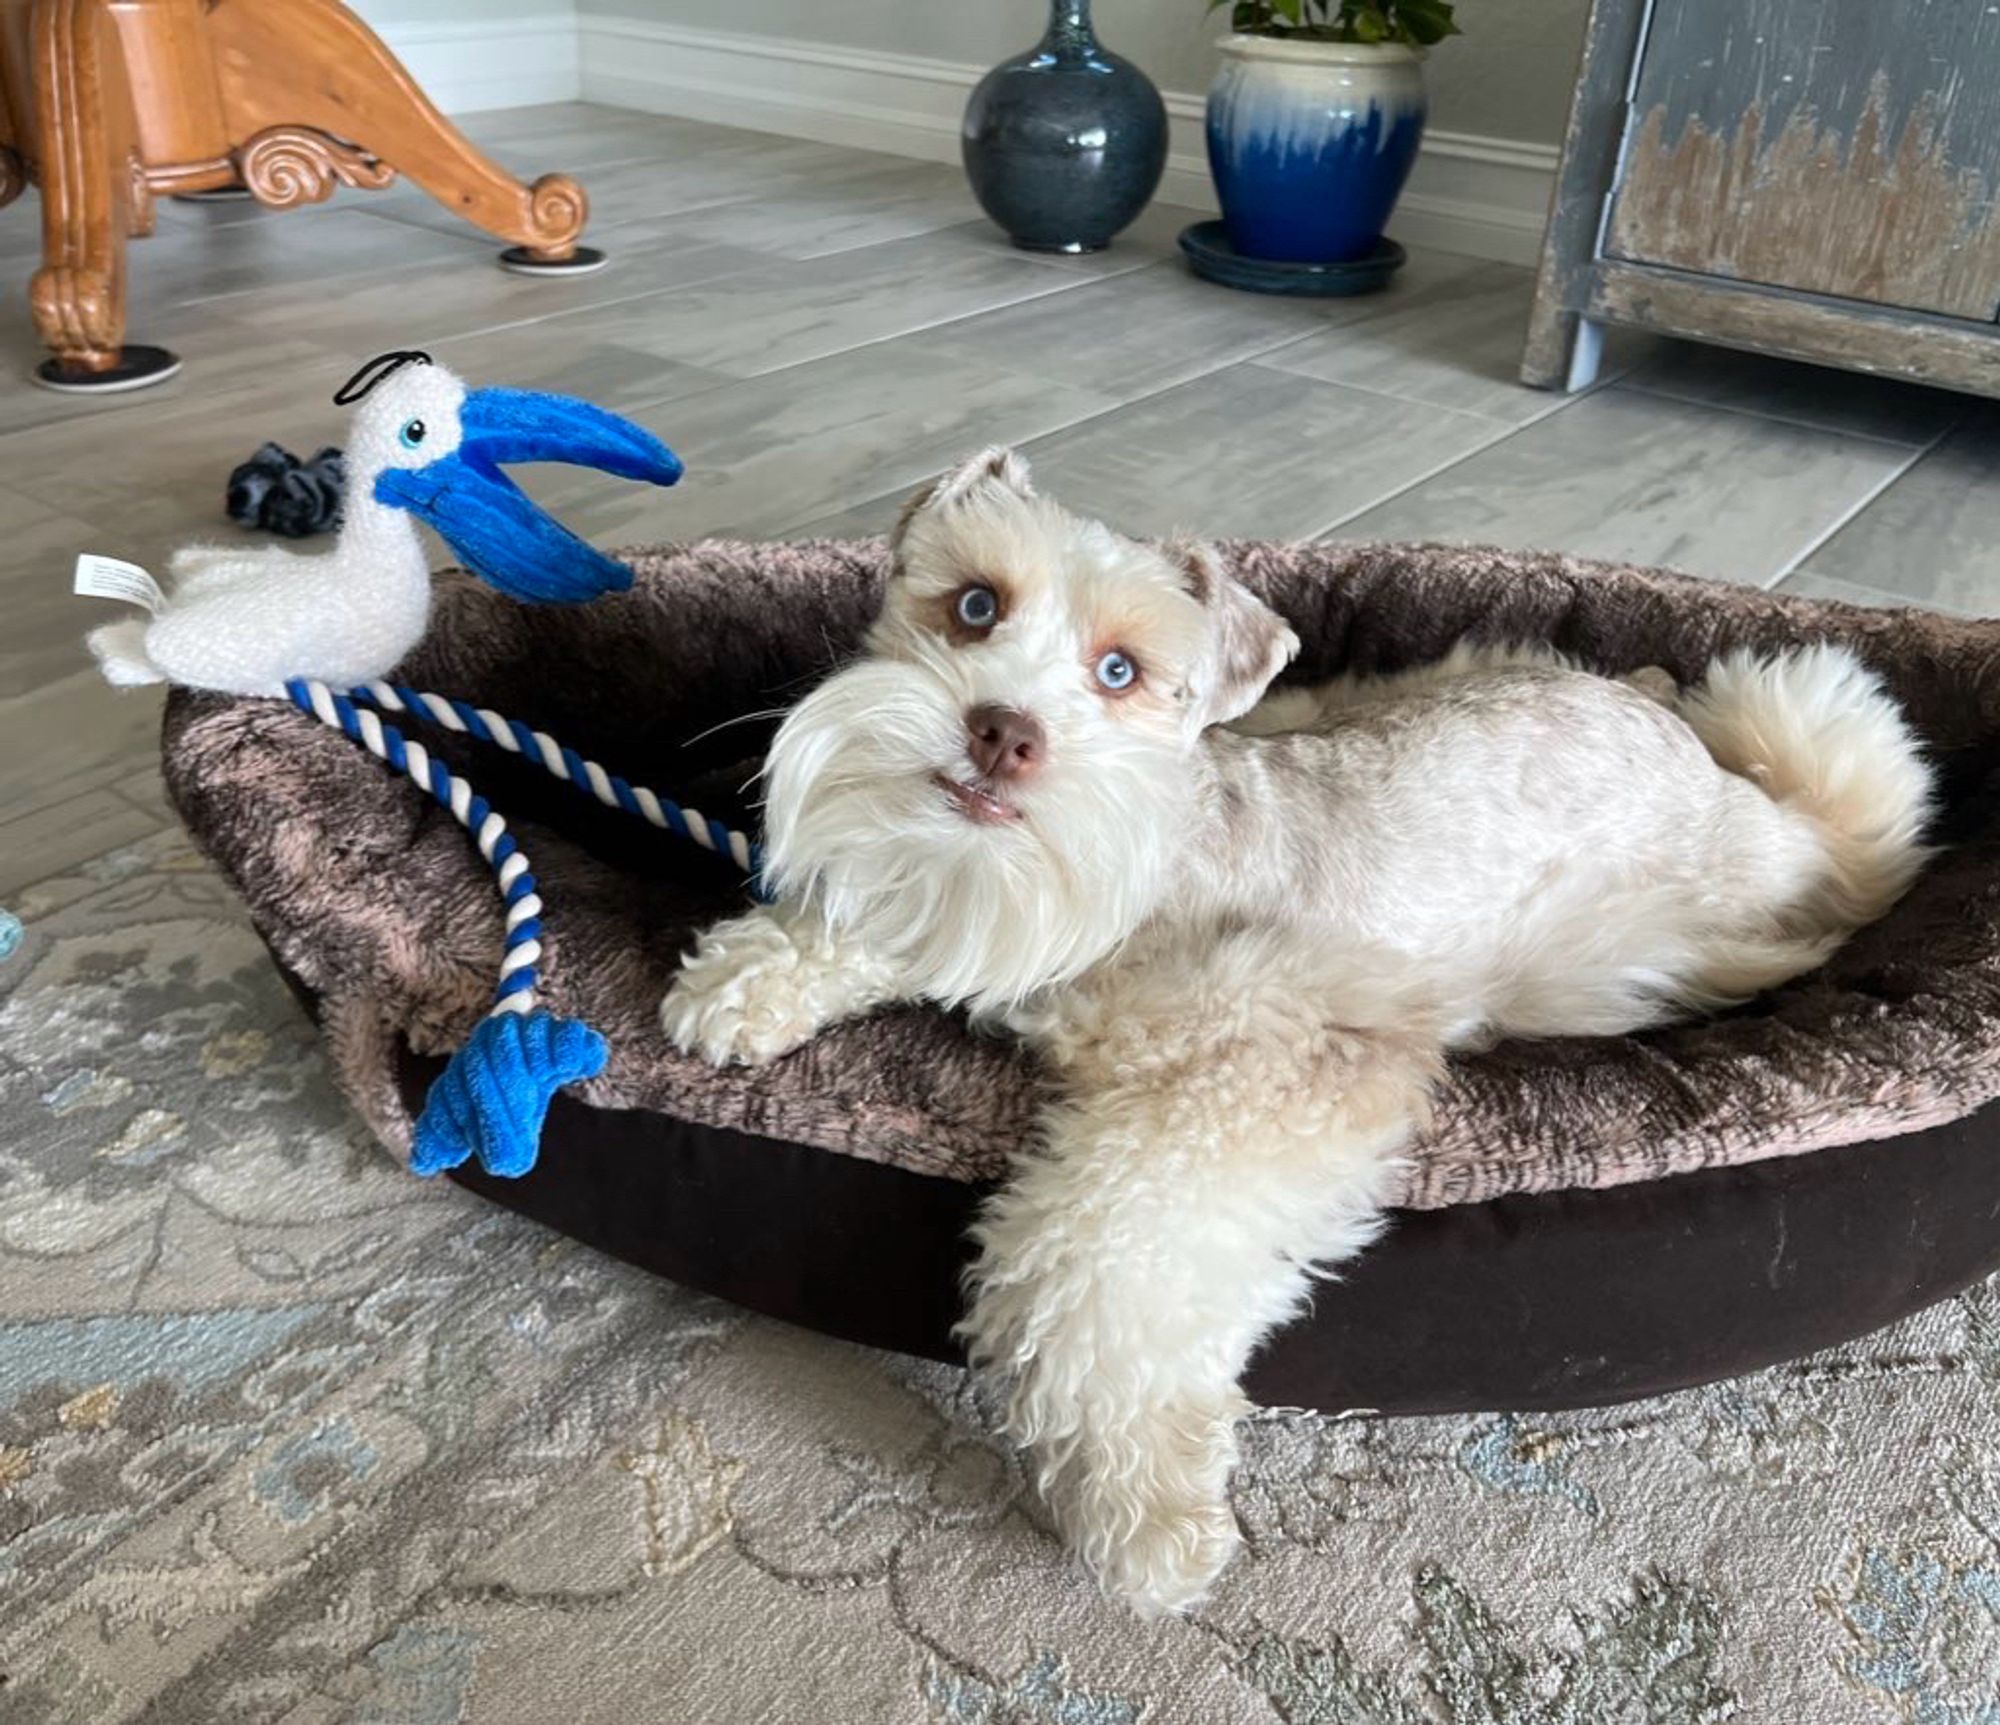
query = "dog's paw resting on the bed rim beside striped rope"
x=743 y=998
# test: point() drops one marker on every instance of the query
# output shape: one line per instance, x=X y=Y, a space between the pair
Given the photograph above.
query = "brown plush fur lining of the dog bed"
x=377 y=908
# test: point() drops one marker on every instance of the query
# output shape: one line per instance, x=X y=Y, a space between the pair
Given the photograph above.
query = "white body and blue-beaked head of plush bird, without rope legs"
x=251 y=619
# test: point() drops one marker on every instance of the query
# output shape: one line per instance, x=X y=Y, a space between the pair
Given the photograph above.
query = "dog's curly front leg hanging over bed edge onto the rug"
x=1169 y=1222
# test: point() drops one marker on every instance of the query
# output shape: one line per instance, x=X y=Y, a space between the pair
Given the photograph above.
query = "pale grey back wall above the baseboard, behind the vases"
x=1509 y=77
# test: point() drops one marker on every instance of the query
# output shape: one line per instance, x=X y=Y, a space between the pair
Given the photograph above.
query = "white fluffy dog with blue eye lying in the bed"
x=1243 y=942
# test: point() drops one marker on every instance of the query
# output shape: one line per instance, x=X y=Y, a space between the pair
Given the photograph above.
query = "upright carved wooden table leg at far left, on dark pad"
x=93 y=197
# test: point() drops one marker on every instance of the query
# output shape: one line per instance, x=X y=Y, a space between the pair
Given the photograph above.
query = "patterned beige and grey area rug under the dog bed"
x=287 y=1436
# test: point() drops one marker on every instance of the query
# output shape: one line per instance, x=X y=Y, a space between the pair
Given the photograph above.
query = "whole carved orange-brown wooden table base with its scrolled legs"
x=107 y=103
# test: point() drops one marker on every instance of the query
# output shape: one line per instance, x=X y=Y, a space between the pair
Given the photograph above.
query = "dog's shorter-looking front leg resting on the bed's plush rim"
x=759 y=986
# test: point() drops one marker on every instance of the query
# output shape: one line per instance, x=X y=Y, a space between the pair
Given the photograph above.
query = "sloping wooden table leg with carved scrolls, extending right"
x=311 y=67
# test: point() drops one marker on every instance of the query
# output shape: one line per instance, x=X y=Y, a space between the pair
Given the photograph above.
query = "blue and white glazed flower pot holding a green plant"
x=1311 y=145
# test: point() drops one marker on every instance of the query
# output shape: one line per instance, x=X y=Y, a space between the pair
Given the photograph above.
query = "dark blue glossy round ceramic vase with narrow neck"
x=1067 y=143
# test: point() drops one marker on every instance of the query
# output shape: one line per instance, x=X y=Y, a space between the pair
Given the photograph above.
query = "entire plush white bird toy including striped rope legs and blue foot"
x=325 y=631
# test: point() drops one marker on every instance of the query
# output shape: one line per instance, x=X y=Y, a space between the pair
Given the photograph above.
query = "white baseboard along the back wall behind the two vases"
x=1485 y=197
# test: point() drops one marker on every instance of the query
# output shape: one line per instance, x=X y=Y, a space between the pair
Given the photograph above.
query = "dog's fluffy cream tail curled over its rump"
x=1821 y=735
